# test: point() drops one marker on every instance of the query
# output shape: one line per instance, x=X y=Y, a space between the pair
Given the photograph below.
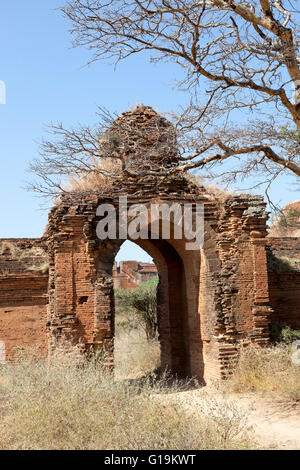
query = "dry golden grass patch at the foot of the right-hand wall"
x=267 y=370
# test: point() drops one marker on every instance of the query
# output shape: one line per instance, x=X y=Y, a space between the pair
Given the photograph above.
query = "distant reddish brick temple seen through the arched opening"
x=130 y=274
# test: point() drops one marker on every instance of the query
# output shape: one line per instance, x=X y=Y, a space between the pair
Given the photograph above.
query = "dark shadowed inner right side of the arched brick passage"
x=183 y=267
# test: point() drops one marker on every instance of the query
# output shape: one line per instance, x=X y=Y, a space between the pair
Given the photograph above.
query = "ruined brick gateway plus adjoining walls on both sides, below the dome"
x=211 y=302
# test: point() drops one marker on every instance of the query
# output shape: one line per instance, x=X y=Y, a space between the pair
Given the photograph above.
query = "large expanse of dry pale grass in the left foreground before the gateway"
x=55 y=405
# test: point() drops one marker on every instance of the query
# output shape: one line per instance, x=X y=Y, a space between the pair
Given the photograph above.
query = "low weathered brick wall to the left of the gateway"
x=23 y=295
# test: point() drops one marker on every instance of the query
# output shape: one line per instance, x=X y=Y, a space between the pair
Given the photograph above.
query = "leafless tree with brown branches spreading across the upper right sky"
x=241 y=63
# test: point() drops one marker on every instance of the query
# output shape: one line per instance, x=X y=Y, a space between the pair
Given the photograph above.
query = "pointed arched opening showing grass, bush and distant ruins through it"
x=136 y=342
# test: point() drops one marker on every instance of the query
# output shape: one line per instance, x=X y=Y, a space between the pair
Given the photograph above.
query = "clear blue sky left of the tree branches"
x=46 y=81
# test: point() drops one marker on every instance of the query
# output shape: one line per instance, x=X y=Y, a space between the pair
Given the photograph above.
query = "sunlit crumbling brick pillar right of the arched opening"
x=234 y=299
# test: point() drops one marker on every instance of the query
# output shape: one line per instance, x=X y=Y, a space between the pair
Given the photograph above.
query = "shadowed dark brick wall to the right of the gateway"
x=284 y=279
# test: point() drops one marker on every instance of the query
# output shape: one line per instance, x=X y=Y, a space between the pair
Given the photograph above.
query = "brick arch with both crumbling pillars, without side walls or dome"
x=213 y=301
